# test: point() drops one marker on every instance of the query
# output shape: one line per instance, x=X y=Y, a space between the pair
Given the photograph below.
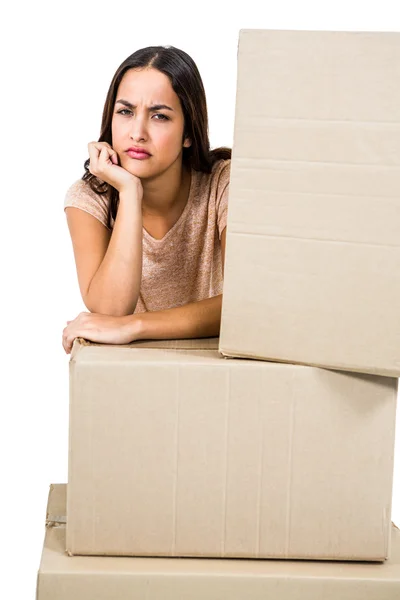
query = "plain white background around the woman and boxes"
x=57 y=64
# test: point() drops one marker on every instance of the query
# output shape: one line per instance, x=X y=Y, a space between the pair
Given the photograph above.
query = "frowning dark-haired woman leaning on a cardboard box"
x=148 y=218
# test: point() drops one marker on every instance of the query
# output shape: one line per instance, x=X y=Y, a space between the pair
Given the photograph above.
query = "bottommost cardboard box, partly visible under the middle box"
x=63 y=577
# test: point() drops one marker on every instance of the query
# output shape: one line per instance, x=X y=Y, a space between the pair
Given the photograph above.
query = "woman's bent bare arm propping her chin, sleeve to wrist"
x=109 y=265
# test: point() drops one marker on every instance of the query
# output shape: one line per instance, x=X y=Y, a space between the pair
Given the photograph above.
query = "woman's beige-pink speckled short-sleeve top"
x=185 y=265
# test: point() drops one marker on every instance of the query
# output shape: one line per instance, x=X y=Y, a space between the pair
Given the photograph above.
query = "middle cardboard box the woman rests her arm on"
x=176 y=451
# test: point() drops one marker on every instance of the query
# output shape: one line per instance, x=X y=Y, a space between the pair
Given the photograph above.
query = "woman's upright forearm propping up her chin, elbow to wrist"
x=114 y=289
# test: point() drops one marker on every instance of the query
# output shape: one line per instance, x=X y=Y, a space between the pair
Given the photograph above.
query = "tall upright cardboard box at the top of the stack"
x=312 y=269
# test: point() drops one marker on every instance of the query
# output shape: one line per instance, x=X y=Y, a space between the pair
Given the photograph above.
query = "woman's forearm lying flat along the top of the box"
x=193 y=320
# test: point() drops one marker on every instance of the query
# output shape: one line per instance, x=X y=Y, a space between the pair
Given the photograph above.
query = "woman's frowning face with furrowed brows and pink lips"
x=135 y=123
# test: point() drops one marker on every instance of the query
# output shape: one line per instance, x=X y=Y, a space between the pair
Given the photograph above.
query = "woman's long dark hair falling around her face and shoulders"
x=187 y=84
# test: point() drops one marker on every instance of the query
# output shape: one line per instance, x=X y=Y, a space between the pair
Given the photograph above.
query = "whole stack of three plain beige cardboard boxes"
x=275 y=441
